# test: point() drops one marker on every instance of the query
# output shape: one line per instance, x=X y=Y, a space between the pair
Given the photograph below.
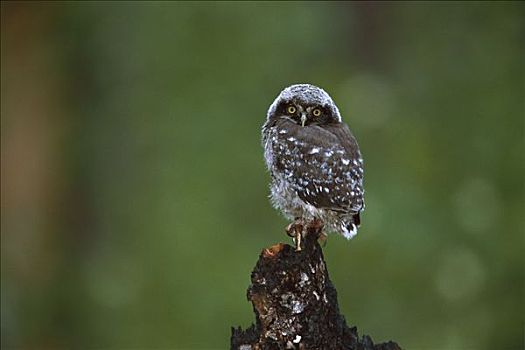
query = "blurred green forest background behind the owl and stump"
x=134 y=192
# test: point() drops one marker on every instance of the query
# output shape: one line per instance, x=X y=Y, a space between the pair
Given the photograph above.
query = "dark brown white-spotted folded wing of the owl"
x=327 y=171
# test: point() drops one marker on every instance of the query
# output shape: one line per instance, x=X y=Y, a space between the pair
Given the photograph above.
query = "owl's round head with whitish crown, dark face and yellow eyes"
x=305 y=104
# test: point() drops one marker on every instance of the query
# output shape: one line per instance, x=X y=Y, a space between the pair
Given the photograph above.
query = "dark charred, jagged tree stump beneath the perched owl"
x=295 y=303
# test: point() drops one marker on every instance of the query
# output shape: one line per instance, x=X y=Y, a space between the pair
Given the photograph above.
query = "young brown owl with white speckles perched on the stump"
x=314 y=162
